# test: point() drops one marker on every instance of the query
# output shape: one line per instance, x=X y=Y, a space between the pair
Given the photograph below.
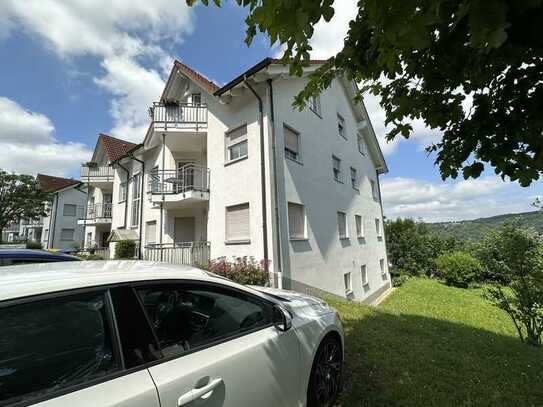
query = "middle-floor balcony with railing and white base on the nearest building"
x=188 y=184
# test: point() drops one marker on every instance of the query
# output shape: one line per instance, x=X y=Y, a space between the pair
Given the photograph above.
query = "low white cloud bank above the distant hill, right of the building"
x=457 y=200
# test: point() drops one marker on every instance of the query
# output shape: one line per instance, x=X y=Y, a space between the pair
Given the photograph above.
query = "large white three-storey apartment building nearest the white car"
x=236 y=171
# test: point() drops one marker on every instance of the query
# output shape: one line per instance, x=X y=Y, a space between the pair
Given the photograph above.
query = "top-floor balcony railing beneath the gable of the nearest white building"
x=182 y=115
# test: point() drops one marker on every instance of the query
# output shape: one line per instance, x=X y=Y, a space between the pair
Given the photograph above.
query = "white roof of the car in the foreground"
x=41 y=278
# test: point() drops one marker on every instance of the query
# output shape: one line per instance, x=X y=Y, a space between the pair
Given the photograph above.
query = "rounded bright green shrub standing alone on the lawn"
x=459 y=269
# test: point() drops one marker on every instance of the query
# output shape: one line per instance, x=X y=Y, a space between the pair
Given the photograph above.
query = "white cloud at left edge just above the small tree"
x=27 y=144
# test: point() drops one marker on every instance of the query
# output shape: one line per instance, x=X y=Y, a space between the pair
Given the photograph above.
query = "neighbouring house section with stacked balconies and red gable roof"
x=98 y=176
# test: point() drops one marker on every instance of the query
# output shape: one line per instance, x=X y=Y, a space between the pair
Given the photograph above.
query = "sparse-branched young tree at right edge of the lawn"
x=521 y=265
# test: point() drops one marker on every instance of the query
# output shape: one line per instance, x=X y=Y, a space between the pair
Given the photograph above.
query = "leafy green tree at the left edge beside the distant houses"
x=20 y=198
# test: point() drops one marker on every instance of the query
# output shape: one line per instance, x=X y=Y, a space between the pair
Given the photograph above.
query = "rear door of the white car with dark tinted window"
x=61 y=351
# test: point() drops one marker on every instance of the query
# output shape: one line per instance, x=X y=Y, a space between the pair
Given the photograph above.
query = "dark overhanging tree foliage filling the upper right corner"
x=424 y=59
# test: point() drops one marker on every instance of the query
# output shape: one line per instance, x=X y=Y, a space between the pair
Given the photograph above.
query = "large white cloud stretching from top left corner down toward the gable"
x=121 y=33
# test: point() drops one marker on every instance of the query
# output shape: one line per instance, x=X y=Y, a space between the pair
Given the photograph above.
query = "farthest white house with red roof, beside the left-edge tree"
x=59 y=229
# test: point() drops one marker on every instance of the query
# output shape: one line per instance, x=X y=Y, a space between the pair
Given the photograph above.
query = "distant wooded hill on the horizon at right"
x=478 y=228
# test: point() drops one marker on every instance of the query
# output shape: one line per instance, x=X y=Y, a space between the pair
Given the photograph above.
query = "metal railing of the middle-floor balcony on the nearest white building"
x=190 y=177
